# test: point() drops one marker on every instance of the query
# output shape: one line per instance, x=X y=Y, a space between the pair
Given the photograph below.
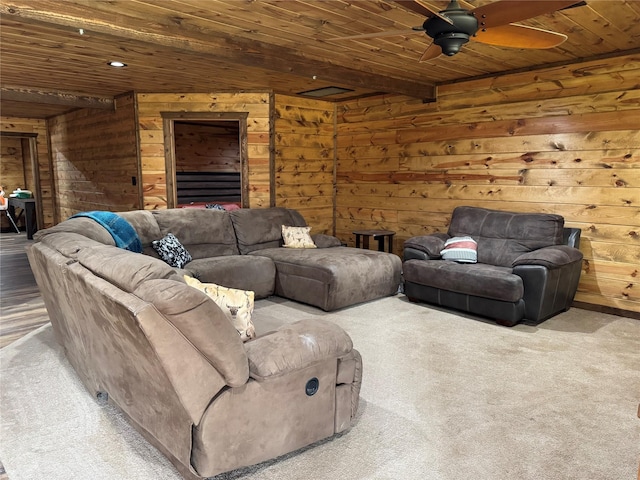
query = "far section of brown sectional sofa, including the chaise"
x=243 y=249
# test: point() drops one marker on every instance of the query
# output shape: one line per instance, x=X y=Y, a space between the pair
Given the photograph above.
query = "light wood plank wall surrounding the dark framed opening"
x=150 y=128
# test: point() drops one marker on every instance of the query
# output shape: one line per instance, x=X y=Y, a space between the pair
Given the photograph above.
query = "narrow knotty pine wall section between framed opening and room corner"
x=304 y=160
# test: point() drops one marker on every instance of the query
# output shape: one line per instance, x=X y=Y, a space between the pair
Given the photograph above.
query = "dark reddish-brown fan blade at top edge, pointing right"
x=509 y=11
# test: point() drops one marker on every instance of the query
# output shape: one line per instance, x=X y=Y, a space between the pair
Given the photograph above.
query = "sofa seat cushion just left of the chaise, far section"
x=236 y=271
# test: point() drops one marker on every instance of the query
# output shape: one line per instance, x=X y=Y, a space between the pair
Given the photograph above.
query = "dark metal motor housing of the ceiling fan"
x=451 y=37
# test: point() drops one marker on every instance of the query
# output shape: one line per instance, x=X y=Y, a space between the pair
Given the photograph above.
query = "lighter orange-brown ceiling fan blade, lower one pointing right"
x=519 y=36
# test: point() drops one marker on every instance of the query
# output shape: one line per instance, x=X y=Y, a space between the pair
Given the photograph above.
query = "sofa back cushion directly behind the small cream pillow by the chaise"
x=260 y=228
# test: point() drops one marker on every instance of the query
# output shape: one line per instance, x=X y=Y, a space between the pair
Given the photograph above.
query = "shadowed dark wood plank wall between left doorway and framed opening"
x=94 y=155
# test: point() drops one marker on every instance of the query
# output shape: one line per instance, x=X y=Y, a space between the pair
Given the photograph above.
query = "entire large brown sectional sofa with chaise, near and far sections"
x=167 y=355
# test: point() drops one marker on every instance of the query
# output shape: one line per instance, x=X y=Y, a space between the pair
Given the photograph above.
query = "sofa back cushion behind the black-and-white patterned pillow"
x=203 y=232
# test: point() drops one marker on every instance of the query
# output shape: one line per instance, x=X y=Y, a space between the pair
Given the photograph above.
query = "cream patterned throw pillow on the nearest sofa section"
x=236 y=304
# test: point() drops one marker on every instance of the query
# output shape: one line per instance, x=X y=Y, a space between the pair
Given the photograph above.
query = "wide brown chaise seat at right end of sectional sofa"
x=331 y=278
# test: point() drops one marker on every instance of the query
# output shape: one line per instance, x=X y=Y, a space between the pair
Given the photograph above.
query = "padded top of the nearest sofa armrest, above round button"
x=294 y=347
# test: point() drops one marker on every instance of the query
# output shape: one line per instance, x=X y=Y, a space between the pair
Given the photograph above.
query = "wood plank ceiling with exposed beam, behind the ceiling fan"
x=53 y=54
